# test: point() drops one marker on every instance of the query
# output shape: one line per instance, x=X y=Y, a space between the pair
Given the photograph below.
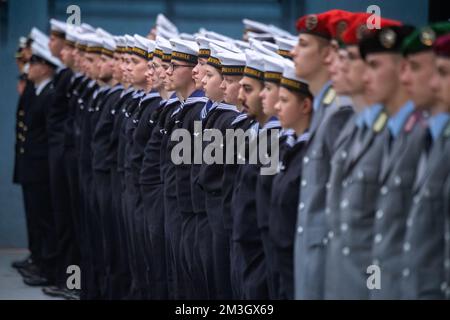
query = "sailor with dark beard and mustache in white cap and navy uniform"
x=248 y=255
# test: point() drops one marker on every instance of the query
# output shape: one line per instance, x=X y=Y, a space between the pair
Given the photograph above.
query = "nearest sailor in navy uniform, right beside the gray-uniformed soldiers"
x=294 y=110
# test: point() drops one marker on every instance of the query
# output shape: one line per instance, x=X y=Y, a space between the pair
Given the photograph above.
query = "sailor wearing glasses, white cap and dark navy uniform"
x=178 y=177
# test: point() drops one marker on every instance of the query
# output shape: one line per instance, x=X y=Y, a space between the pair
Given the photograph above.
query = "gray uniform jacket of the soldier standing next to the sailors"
x=311 y=236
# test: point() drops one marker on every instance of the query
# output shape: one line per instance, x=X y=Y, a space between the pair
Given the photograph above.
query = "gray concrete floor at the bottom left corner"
x=11 y=283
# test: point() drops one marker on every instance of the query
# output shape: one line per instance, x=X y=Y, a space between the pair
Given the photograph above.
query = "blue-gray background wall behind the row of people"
x=137 y=16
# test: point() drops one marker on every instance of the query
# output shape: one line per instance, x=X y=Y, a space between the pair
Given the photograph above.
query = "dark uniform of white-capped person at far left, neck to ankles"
x=32 y=172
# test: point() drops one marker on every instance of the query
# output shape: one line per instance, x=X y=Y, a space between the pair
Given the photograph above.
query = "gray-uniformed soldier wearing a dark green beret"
x=423 y=245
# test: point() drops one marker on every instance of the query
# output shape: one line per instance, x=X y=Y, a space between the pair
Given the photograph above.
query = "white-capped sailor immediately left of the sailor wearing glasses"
x=151 y=186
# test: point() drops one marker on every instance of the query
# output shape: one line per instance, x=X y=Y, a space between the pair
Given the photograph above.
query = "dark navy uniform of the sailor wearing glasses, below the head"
x=196 y=238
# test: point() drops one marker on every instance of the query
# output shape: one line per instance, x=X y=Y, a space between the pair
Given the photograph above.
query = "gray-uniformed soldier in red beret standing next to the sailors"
x=309 y=57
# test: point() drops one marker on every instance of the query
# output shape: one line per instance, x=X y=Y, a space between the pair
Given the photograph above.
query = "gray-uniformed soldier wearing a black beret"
x=402 y=144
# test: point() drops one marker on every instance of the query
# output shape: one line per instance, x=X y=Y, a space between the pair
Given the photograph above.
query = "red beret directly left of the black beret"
x=358 y=28
